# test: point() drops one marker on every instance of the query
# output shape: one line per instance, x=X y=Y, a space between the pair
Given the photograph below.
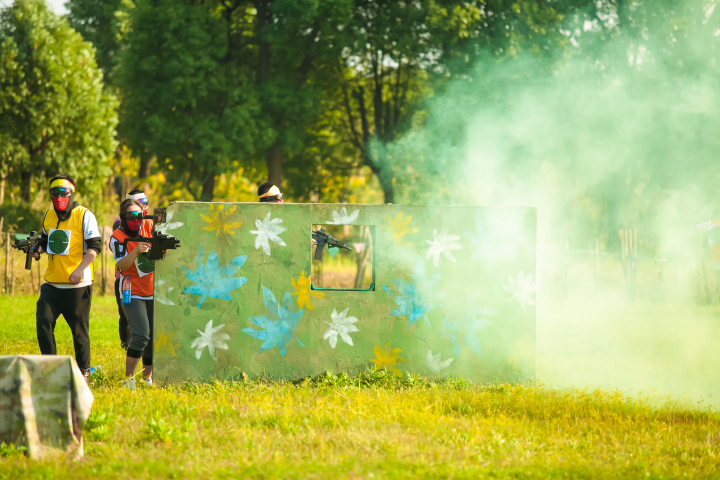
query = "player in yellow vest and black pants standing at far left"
x=71 y=238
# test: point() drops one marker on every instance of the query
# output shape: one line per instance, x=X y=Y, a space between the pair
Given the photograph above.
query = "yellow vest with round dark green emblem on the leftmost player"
x=66 y=241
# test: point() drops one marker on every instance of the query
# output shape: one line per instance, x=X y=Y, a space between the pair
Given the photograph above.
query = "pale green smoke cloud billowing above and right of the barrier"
x=616 y=130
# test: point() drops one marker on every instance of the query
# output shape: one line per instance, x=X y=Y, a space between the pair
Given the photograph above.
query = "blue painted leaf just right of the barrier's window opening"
x=414 y=299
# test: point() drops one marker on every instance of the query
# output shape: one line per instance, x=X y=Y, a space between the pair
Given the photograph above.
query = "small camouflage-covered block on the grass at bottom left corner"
x=44 y=404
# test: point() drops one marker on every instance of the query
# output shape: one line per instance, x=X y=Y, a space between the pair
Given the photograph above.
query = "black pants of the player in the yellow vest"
x=74 y=305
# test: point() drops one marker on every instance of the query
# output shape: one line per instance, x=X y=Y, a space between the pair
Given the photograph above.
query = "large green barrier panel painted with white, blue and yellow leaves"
x=443 y=291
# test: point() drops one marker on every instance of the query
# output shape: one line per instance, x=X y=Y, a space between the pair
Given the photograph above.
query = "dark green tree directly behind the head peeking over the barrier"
x=297 y=41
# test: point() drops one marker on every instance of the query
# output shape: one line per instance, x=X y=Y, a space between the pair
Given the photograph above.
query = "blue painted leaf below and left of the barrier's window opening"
x=277 y=326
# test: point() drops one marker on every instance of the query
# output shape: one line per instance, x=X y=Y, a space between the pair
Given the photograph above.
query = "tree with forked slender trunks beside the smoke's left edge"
x=397 y=53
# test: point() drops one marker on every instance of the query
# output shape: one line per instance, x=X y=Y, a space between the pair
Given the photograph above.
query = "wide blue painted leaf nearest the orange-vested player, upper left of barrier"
x=212 y=280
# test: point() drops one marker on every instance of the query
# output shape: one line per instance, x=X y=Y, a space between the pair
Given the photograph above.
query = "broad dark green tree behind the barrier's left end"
x=183 y=100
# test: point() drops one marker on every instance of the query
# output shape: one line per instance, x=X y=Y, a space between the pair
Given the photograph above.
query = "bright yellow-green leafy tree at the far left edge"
x=54 y=113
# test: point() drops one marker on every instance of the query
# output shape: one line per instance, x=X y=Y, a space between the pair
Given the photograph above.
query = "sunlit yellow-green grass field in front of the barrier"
x=371 y=427
